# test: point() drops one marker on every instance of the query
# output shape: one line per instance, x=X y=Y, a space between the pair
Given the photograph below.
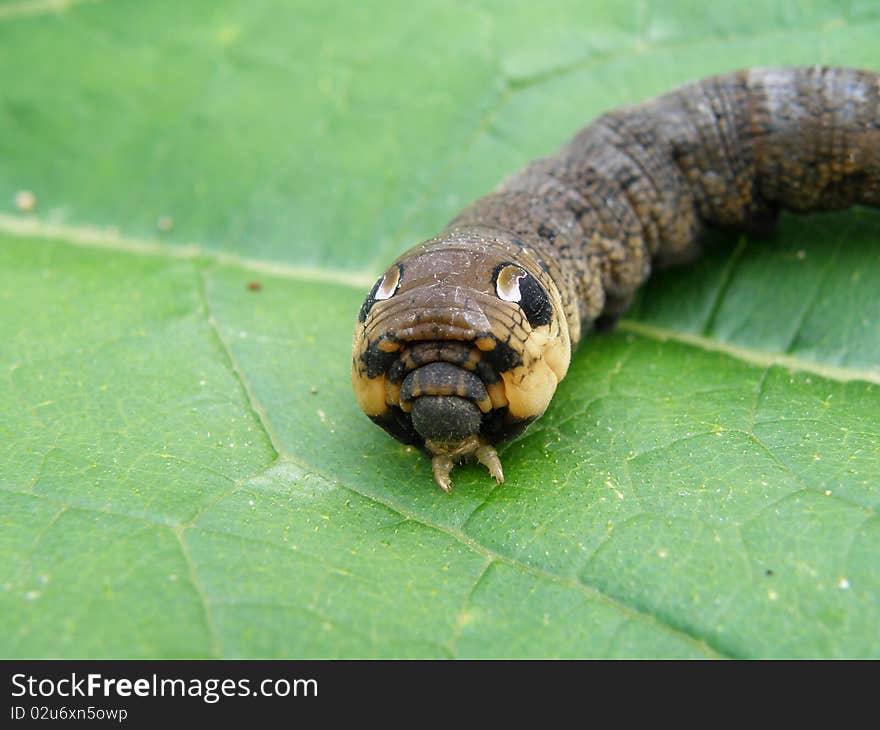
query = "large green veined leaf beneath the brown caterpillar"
x=183 y=468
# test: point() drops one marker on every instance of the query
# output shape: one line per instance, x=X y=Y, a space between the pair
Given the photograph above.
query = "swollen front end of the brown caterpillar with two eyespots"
x=460 y=345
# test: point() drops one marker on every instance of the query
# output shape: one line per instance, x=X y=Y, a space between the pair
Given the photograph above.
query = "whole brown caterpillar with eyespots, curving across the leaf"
x=461 y=343
